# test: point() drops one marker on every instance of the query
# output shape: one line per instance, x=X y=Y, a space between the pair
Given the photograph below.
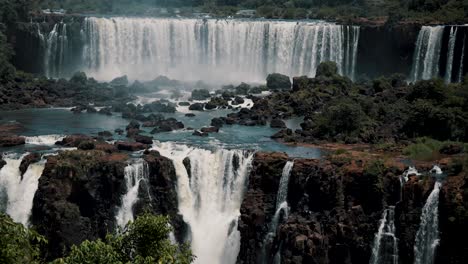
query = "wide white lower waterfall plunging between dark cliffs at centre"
x=210 y=187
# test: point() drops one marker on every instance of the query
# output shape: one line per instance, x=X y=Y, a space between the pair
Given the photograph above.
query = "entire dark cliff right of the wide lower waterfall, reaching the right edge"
x=335 y=208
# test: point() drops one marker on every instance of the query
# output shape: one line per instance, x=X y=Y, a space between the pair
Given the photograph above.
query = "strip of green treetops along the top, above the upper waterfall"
x=454 y=11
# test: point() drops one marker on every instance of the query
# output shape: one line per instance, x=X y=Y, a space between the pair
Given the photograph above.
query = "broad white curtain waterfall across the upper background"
x=216 y=50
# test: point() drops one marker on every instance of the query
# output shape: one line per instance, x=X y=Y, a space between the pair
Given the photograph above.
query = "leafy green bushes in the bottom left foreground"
x=144 y=241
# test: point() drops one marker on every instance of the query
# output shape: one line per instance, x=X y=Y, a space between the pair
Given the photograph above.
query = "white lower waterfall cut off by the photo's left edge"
x=16 y=191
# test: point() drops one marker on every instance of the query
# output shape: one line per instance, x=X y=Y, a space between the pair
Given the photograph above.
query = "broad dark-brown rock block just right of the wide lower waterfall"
x=335 y=207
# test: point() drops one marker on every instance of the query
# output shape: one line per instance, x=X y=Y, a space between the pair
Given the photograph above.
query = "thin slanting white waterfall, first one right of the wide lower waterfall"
x=281 y=208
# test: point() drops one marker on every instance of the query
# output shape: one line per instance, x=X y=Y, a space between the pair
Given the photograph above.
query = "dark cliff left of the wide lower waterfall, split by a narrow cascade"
x=80 y=191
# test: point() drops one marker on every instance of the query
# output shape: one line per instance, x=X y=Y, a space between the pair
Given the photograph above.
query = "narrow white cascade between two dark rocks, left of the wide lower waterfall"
x=134 y=174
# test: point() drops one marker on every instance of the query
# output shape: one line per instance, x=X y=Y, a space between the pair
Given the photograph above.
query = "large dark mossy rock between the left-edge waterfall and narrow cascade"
x=77 y=196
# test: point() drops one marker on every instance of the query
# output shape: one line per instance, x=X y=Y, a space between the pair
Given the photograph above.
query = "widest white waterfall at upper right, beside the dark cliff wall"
x=427 y=53
